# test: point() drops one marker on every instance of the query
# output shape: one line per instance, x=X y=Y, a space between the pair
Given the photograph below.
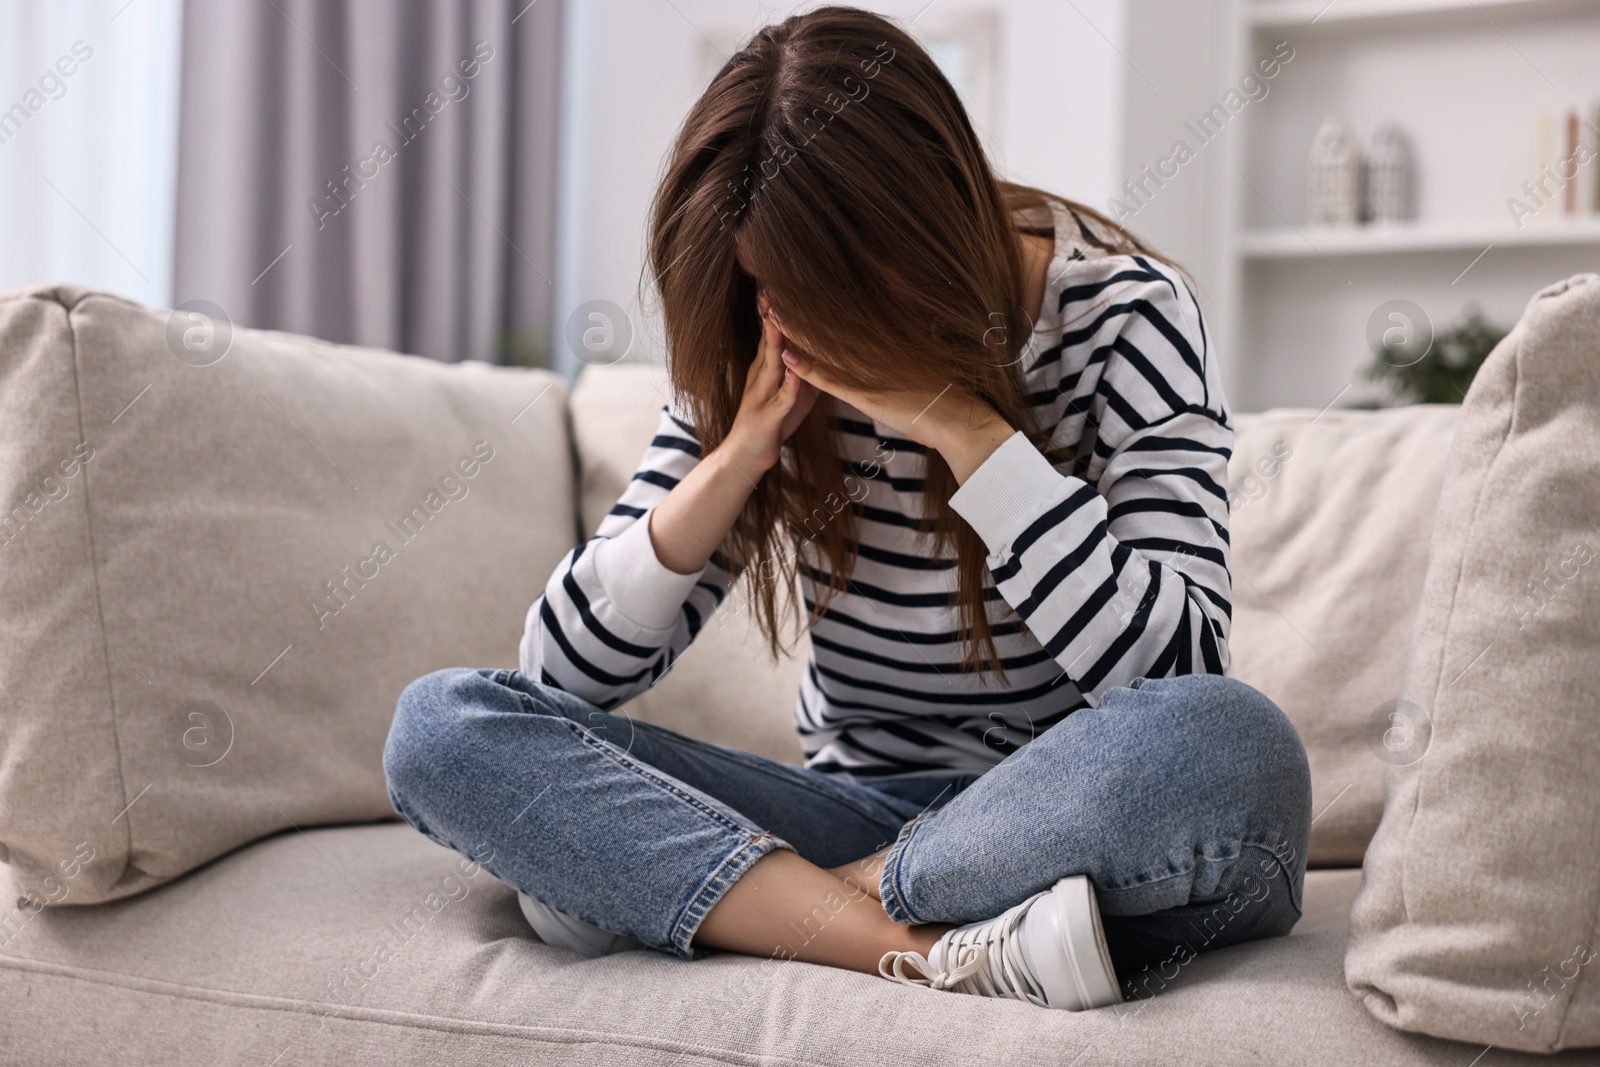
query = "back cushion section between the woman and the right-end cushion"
x=1332 y=516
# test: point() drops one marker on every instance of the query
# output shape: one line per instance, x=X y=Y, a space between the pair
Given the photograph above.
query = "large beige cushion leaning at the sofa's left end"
x=223 y=557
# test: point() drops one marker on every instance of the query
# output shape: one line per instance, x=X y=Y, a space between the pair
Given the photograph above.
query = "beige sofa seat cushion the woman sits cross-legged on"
x=372 y=945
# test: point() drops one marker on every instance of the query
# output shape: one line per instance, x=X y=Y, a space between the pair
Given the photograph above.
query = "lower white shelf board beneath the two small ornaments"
x=1377 y=241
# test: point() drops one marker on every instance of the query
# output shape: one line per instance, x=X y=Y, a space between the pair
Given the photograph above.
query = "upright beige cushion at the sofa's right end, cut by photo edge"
x=1478 y=919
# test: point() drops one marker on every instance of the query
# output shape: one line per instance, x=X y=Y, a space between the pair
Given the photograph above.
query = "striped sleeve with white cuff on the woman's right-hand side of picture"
x=1121 y=573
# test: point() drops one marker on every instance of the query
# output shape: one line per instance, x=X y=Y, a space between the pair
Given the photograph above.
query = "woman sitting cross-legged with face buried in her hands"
x=985 y=430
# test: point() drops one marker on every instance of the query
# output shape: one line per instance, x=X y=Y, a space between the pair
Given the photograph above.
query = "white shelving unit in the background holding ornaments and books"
x=1468 y=82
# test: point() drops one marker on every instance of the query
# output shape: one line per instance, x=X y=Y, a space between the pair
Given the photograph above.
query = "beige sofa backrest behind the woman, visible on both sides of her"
x=1330 y=526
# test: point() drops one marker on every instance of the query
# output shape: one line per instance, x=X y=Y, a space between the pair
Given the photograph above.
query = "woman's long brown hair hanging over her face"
x=838 y=161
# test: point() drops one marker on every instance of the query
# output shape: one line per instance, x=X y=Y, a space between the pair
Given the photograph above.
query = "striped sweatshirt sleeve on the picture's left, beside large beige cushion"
x=614 y=618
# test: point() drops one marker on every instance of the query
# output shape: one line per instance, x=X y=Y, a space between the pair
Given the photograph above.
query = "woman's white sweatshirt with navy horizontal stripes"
x=1108 y=569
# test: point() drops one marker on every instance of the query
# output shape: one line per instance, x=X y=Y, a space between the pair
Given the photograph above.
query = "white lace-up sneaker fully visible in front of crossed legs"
x=1049 y=951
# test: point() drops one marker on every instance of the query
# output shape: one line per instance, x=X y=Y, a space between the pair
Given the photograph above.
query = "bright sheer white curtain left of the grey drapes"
x=89 y=175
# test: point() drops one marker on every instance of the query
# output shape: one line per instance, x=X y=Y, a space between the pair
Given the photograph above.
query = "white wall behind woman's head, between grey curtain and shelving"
x=634 y=70
